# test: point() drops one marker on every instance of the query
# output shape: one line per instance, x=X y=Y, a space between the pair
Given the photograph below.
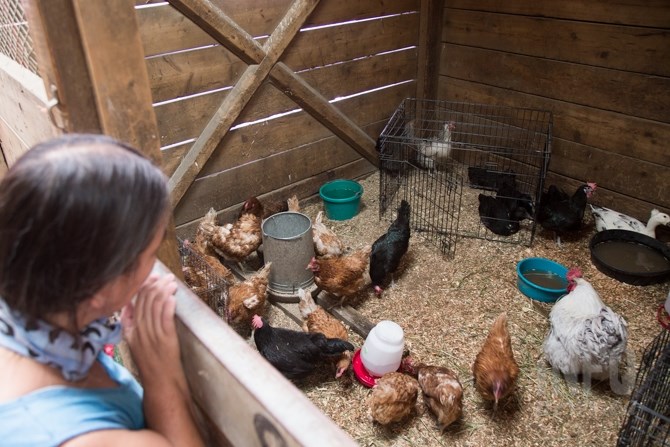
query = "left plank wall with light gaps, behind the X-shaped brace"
x=369 y=45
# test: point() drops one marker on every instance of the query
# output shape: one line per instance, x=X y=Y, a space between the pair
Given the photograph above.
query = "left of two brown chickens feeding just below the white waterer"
x=393 y=398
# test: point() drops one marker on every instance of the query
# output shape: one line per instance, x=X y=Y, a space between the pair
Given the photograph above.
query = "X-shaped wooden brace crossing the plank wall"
x=263 y=63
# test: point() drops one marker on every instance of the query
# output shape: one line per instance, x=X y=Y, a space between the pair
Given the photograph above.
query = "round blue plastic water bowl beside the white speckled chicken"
x=543 y=267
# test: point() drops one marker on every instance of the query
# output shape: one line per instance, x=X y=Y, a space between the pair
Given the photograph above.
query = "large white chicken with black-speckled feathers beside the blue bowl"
x=585 y=336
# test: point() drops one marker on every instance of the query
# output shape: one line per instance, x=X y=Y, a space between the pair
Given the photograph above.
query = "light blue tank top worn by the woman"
x=55 y=414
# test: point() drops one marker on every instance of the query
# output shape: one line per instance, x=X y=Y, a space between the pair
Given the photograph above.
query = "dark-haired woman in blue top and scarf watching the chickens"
x=81 y=219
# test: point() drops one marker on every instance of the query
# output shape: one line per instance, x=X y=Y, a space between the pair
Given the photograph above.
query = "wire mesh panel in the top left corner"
x=15 y=41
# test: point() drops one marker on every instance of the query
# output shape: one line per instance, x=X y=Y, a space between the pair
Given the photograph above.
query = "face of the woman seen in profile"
x=121 y=290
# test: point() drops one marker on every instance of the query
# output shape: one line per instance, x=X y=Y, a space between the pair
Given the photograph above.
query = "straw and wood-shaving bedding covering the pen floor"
x=446 y=306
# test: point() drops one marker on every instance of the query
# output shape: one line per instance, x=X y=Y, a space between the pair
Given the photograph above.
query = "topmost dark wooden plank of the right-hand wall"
x=653 y=13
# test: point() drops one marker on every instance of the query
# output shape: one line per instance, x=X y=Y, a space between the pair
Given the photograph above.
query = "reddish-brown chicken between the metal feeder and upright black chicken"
x=342 y=276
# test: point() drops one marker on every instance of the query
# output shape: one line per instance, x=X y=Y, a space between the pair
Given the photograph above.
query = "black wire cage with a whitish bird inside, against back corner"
x=441 y=156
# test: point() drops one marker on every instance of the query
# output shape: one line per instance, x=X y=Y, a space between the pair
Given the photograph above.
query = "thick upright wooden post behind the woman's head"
x=91 y=52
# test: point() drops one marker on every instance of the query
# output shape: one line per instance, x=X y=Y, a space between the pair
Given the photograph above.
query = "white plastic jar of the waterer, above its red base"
x=382 y=351
